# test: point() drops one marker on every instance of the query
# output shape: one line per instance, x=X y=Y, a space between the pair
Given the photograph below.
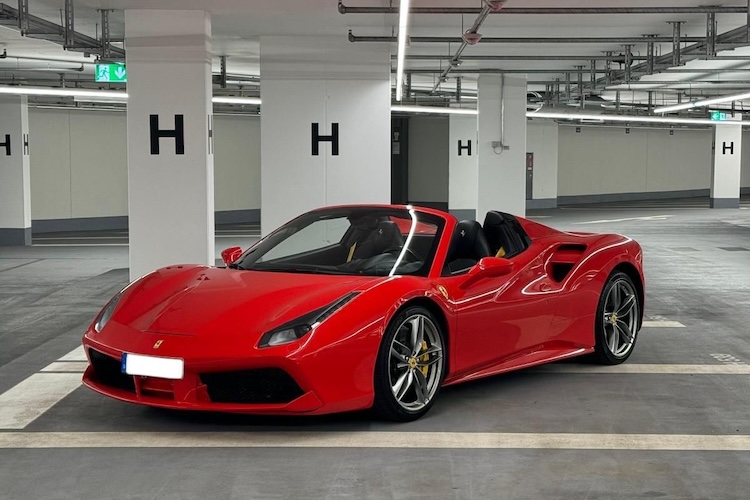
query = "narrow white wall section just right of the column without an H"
x=542 y=140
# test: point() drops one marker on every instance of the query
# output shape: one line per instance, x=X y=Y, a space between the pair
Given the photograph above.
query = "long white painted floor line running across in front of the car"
x=369 y=439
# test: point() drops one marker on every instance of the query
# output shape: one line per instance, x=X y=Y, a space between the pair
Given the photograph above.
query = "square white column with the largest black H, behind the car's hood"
x=170 y=138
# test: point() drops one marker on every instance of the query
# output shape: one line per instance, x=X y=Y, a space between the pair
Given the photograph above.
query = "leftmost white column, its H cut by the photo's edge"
x=15 y=179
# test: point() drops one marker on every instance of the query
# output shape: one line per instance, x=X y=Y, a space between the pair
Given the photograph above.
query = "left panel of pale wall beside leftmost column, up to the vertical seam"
x=49 y=156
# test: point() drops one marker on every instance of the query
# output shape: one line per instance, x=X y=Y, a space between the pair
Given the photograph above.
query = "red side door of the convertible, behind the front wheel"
x=498 y=319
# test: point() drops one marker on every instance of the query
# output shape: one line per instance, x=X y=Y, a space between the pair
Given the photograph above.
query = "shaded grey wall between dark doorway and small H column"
x=428 y=158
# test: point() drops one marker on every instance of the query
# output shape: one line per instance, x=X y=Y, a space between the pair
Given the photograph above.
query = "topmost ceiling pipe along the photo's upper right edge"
x=343 y=9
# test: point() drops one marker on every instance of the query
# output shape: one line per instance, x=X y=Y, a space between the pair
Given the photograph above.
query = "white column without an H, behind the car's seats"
x=502 y=145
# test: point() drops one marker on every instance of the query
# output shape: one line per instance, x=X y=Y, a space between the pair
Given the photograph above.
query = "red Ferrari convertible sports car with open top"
x=356 y=307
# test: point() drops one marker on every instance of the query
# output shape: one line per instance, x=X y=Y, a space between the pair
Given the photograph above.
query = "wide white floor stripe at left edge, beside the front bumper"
x=24 y=402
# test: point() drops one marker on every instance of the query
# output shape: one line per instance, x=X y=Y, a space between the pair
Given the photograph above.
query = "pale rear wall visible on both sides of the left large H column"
x=79 y=163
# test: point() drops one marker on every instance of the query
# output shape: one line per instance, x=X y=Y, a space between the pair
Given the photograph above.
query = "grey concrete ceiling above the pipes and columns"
x=238 y=24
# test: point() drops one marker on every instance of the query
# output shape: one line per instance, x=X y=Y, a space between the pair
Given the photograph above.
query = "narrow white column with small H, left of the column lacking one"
x=462 y=167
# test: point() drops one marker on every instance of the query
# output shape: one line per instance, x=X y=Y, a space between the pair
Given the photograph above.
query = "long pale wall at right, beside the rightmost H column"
x=607 y=160
